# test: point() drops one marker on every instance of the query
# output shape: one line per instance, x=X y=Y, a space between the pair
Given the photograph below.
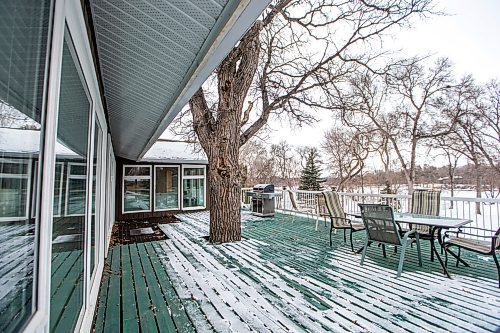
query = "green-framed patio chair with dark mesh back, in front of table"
x=381 y=228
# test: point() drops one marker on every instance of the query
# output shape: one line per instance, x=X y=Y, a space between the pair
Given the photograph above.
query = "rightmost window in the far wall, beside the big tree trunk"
x=193 y=187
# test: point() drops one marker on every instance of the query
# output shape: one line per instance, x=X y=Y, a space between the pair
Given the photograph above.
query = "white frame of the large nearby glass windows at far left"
x=65 y=13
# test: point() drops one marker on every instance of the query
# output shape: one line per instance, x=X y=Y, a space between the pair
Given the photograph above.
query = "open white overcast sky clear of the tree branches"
x=469 y=36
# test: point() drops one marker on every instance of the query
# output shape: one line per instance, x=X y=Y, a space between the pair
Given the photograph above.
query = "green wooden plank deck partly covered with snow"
x=284 y=277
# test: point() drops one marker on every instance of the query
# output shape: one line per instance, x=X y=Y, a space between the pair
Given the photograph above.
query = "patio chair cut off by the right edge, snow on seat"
x=483 y=244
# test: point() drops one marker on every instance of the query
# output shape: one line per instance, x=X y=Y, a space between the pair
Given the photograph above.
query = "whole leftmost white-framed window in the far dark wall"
x=136 y=188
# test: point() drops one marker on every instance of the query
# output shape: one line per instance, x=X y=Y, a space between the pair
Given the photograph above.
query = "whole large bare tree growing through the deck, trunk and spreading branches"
x=285 y=60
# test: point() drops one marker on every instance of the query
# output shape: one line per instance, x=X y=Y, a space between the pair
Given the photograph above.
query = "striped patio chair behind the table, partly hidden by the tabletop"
x=425 y=202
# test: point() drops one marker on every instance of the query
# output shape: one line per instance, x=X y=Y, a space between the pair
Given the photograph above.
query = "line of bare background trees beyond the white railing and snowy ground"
x=400 y=115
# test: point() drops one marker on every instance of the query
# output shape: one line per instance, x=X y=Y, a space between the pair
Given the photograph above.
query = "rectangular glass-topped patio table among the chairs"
x=436 y=223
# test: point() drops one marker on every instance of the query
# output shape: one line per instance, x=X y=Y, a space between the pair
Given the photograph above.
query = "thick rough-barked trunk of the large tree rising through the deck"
x=219 y=135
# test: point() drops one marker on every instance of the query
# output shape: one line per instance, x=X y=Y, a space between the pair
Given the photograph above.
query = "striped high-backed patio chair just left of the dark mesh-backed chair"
x=338 y=219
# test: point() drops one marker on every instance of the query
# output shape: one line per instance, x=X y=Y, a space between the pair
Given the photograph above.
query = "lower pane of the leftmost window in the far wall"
x=136 y=195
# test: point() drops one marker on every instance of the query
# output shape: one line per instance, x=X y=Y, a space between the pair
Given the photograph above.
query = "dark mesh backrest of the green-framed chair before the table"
x=379 y=223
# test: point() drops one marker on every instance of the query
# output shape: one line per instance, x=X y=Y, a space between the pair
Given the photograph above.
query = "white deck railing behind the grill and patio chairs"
x=457 y=207
